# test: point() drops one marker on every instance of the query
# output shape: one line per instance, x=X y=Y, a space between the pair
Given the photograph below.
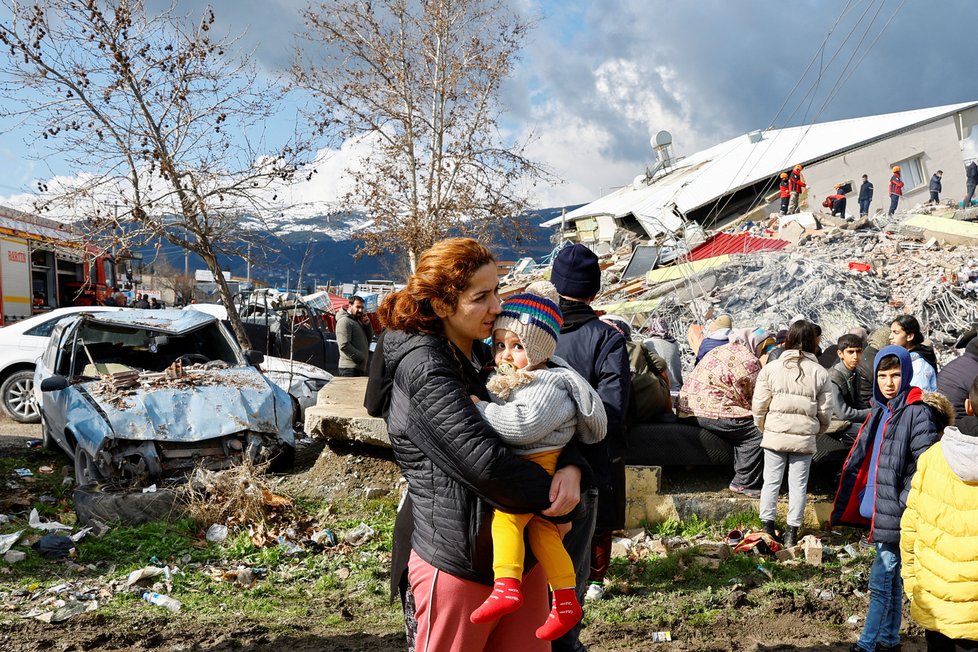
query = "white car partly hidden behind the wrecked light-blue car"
x=21 y=344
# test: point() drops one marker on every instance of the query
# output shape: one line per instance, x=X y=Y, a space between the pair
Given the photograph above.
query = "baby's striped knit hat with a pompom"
x=534 y=315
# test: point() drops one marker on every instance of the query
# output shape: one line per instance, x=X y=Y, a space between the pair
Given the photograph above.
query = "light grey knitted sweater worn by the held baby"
x=548 y=412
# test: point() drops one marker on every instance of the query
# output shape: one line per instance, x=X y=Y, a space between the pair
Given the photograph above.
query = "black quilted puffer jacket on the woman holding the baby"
x=456 y=466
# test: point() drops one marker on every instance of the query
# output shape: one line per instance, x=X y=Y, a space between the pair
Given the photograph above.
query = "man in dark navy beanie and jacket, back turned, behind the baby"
x=597 y=351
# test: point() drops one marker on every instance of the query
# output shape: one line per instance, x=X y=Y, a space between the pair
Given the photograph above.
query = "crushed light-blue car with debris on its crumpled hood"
x=138 y=396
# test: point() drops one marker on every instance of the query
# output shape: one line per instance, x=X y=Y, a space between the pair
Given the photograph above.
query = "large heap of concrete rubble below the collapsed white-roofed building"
x=839 y=273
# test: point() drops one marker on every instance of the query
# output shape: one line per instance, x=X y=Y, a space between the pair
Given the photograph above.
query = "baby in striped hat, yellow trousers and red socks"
x=543 y=406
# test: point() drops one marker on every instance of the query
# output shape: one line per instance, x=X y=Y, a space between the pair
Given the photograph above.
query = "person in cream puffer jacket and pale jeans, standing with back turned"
x=792 y=405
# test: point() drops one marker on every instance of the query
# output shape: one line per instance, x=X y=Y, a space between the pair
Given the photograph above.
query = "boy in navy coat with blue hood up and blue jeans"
x=875 y=483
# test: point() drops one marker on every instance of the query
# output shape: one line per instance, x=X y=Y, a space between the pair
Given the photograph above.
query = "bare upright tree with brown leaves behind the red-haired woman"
x=420 y=82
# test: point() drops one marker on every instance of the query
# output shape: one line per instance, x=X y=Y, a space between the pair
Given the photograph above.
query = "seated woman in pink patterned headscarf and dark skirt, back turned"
x=718 y=394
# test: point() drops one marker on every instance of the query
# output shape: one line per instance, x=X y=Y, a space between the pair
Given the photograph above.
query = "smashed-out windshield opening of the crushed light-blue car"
x=100 y=349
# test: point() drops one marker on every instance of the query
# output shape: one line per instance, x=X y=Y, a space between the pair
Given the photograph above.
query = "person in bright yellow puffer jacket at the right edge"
x=939 y=537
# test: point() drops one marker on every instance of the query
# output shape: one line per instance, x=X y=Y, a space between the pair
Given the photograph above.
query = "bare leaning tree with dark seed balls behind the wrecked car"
x=156 y=115
